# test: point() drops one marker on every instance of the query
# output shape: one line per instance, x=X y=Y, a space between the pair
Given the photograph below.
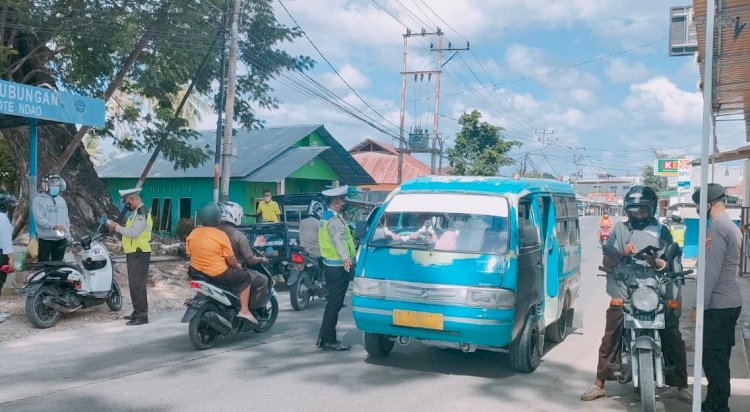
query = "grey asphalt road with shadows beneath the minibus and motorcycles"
x=154 y=368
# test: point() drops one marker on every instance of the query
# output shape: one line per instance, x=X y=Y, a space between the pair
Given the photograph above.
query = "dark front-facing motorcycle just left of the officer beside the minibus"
x=305 y=278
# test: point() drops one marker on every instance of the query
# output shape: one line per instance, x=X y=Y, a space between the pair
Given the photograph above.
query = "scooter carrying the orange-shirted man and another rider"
x=212 y=313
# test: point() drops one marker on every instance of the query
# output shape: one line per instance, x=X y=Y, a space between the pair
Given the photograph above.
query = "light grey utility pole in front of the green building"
x=227 y=151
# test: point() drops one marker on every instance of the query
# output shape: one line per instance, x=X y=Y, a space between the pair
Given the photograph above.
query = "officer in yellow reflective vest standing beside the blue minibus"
x=338 y=251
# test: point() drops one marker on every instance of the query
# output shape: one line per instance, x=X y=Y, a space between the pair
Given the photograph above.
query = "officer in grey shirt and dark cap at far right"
x=722 y=299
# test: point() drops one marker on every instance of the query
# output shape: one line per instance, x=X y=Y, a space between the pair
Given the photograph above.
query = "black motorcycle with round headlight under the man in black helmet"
x=650 y=294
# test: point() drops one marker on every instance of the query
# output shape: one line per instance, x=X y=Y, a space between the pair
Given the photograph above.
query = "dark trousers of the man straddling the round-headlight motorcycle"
x=672 y=344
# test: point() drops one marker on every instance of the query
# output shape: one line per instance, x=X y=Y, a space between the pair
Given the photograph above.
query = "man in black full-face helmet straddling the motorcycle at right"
x=642 y=233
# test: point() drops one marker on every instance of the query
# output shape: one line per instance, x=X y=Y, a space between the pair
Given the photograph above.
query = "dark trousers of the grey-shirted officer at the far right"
x=718 y=339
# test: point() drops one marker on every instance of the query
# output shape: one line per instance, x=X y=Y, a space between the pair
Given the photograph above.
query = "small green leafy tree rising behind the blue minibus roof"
x=480 y=148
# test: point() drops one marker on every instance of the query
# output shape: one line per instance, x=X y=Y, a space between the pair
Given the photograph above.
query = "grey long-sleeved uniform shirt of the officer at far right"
x=723 y=241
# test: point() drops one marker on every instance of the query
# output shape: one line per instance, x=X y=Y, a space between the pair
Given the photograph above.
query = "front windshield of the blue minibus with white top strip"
x=444 y=222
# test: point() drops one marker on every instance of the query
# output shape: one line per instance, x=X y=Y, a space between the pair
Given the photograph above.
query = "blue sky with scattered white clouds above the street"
x=596 y=73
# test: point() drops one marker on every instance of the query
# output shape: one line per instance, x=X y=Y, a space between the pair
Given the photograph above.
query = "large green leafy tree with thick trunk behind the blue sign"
x=79 y=45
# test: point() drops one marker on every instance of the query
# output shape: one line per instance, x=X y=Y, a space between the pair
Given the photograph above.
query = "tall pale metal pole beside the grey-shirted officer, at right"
x=708 y=83
